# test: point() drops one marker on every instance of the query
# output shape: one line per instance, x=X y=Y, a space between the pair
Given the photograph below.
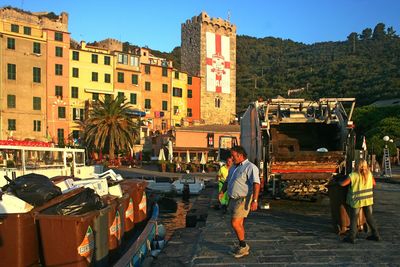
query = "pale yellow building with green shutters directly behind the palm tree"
x=91 y=79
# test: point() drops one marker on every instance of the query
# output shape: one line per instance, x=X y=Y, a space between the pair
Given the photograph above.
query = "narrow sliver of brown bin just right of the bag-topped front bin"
x=115 y=226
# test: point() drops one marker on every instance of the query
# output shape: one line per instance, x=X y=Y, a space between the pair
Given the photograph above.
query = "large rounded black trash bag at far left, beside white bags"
x=36 y=189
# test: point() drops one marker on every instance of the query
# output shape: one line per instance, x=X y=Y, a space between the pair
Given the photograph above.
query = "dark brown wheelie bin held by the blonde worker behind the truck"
x=340 y=210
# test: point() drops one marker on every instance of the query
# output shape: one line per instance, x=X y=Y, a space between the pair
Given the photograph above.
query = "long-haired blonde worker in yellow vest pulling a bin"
x=360 y=196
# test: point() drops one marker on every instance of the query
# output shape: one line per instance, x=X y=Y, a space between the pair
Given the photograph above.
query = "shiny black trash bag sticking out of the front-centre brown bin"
x=79 y=204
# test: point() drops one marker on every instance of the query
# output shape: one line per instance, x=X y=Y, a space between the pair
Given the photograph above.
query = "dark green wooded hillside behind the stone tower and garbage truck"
x=365 y=66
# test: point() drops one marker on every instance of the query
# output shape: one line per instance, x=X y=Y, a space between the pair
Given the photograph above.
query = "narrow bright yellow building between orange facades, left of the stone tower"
x=179 y=98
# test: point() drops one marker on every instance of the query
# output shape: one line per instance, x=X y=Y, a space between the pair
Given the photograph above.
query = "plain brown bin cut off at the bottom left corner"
x=18 y=240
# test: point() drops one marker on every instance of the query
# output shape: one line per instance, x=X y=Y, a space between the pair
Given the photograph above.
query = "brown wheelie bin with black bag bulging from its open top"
x=70 y=239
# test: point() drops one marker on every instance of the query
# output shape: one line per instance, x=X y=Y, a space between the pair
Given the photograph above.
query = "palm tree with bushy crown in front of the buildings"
x=109 y=126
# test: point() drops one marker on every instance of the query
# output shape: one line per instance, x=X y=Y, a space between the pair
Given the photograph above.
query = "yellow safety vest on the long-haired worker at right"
x=360 y=194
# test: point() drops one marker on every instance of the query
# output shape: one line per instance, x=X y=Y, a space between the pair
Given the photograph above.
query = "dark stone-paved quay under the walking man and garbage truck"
x=290 y=233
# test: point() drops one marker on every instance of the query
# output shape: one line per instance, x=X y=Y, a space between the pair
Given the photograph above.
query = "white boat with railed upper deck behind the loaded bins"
x=19 y=160
